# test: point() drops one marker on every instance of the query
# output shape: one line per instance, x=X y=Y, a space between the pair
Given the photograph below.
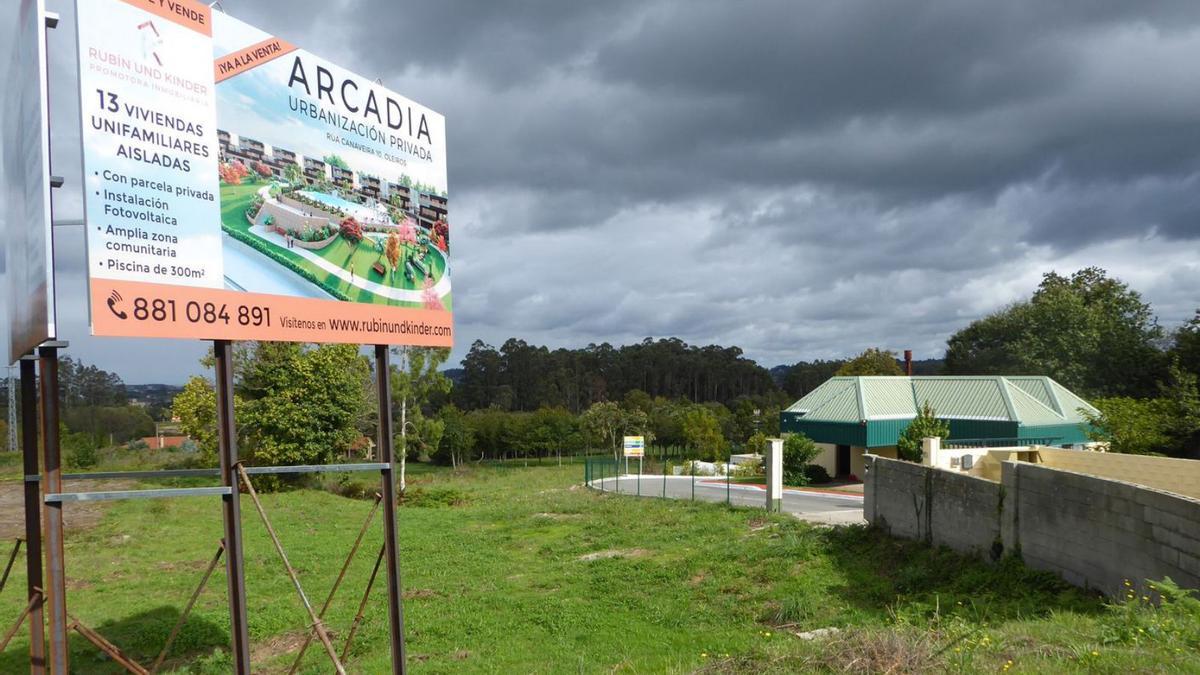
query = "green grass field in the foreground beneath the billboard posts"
x=513 y=570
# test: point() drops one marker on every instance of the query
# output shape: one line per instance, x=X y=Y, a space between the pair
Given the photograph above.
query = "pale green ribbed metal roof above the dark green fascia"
x=1029 y=402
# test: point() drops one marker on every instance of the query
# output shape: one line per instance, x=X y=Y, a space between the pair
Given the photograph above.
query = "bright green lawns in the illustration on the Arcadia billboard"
x=235 y=202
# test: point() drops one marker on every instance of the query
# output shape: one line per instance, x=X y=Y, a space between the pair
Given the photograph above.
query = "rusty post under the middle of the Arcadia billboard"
x=231 y=507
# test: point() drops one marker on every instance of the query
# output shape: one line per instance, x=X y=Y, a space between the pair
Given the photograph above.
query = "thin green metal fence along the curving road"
x=681 y=480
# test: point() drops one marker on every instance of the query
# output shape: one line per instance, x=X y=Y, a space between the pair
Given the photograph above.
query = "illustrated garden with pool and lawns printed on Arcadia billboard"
x=350 y=250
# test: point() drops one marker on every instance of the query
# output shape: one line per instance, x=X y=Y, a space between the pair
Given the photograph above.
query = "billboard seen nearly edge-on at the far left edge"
x=28 y=244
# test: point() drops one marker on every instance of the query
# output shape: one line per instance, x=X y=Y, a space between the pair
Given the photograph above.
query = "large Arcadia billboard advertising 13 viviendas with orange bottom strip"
x=242 y=188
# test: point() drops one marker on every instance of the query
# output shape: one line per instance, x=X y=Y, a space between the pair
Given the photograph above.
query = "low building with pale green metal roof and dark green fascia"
x=849 y=417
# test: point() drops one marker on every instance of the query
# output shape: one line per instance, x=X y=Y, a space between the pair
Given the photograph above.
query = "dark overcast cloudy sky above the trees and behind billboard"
x=801 y=180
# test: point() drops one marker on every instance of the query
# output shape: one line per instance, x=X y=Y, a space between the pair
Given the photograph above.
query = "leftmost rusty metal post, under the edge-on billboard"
x=29 y=421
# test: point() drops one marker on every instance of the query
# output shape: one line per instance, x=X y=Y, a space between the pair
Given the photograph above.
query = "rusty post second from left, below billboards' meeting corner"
x=52 y=513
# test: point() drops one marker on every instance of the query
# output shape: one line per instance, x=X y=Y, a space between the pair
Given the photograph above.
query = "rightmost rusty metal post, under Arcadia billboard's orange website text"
x=391 y=541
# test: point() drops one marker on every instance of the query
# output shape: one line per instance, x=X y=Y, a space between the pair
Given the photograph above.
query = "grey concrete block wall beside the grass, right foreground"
x=1093 y=531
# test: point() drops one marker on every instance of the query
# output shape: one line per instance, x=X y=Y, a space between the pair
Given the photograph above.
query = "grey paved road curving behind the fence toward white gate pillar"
x=813 y=506
